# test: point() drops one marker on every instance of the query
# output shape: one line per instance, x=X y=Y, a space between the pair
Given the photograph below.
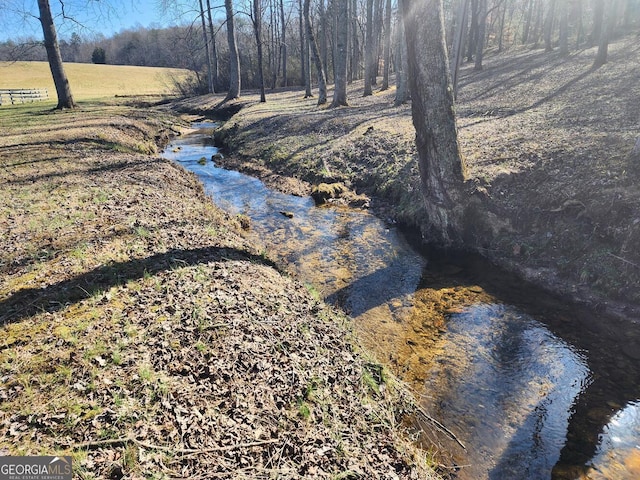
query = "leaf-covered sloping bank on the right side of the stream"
x=547 y=141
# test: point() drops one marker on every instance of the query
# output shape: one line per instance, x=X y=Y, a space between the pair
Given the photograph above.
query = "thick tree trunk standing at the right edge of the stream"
x=442 y=169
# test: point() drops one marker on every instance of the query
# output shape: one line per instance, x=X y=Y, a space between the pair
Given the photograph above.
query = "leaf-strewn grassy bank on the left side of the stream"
x=142 y=334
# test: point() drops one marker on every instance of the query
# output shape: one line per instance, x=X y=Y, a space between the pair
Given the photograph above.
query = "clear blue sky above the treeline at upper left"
x=18 y=18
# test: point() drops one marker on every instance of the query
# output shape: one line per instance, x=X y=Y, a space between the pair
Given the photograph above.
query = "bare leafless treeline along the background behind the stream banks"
x=481 y=26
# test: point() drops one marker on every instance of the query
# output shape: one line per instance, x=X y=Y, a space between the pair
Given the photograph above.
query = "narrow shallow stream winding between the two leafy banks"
x=535 y=389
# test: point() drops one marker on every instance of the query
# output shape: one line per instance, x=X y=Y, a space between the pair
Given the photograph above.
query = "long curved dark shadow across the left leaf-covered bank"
x=52 y=298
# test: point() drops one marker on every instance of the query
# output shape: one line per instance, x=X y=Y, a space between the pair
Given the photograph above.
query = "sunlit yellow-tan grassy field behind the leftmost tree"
x=92 y=82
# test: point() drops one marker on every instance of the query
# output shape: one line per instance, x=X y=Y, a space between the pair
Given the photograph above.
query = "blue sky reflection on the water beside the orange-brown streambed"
x=518 y=431
